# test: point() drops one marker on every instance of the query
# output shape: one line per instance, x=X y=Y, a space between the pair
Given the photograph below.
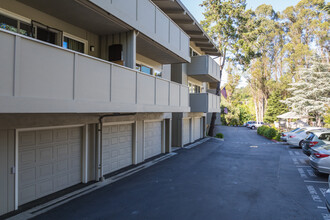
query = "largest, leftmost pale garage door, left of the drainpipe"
x=49 y=160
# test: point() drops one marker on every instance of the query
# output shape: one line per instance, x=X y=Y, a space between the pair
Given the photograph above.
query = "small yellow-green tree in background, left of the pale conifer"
x=275 y=107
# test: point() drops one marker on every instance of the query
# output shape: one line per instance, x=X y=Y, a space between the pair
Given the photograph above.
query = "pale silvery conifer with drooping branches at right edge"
x=311 y=94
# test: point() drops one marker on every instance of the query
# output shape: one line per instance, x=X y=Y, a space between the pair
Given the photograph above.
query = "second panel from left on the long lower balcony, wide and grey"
x=44 y=71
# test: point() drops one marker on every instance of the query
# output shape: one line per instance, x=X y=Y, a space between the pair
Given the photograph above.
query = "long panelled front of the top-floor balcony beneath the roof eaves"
x=148 y=19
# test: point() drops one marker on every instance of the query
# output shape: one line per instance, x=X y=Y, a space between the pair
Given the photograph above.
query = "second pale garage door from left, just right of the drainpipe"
x=117 y=147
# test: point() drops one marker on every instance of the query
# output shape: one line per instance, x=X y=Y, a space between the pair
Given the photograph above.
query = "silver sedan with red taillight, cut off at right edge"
x=320 y=159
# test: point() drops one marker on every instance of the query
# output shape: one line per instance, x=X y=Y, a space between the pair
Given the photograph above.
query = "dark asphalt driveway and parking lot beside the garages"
x=244 y=177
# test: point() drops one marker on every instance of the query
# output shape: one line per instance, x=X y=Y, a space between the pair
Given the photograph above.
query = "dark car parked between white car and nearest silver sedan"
x=315 y=139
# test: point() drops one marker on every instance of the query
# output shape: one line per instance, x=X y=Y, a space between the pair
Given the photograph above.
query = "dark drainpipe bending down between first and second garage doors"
x=100 y=147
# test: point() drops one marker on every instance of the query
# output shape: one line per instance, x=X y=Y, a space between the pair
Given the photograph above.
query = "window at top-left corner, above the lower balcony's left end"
x=12 y=24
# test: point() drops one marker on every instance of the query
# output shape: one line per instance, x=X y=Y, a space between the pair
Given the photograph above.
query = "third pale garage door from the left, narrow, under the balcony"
x=153 y=139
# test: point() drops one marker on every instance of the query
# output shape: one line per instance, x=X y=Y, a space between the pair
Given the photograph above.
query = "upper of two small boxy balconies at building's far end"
x=204 y=69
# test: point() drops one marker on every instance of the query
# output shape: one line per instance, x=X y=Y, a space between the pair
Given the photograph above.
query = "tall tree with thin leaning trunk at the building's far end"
x=226 y=21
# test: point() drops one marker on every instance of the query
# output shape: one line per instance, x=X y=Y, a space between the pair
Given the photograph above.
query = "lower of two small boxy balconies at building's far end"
x=204 y=102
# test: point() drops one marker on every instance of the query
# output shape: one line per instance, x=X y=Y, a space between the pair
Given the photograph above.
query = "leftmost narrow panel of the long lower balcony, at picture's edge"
x=7 y=57
